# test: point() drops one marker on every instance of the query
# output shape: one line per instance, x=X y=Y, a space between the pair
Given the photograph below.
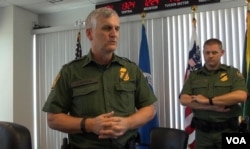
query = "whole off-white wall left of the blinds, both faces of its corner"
x=16 y=66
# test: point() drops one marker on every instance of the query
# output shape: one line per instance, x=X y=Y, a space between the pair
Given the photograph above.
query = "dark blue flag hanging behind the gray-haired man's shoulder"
x=144 y=64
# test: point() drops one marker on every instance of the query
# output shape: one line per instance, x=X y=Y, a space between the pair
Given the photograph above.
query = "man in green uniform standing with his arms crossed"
x=214 y=93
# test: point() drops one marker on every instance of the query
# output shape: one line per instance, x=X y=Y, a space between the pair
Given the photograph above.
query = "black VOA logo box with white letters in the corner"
x=239 y=140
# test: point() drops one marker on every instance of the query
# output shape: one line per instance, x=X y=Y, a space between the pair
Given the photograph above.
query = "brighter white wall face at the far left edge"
x=6 y=64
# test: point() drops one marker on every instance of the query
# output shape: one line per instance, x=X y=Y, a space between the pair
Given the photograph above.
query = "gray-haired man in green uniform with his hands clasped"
x=101 y=99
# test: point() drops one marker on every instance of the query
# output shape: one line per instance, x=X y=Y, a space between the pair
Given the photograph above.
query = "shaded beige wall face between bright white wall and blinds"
x=22 y=68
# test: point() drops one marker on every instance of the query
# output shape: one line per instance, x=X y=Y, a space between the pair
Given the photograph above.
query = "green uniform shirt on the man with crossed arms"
x=210 y=84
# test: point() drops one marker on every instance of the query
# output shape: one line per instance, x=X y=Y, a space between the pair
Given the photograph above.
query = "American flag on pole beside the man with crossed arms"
x=194 y=62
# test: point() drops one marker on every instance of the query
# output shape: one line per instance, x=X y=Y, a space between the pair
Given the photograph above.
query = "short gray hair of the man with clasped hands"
x=104 y=12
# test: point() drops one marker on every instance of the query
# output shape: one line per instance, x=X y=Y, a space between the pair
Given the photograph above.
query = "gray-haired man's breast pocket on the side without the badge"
x=85 y=100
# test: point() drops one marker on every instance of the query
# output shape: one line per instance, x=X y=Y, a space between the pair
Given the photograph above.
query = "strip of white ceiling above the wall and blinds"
x=51 y=6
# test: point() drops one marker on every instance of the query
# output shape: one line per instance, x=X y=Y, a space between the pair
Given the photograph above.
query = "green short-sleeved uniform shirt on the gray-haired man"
x=86 y=89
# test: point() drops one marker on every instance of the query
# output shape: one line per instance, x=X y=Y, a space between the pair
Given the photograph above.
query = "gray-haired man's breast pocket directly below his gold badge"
x=125 y=96
